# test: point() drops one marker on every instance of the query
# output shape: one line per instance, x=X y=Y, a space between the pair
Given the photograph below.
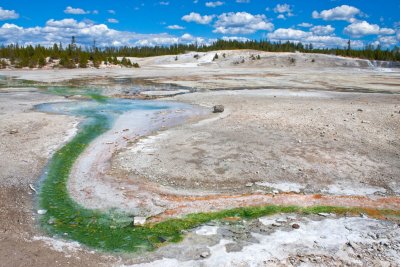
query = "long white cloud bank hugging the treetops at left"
x=56 y=31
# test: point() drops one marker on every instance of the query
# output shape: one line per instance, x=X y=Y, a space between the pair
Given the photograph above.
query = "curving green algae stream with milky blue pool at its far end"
x=113 y=231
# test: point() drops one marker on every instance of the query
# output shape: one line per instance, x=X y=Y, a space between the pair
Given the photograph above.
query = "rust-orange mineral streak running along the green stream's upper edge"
x=183 y=205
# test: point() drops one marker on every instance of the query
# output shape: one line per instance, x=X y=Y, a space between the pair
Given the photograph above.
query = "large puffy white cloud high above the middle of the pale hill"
x=241 y=23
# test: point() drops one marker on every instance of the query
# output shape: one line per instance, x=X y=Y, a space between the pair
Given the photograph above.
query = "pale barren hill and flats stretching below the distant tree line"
x=274 y=70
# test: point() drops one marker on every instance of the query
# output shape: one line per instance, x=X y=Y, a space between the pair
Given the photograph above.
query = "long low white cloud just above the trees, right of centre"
x=307 y=37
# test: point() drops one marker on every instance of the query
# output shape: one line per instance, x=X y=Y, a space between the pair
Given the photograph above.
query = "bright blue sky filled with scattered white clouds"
x=323 y=23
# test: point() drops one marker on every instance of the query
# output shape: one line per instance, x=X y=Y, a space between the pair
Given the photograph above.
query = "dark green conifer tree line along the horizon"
x=73 y=56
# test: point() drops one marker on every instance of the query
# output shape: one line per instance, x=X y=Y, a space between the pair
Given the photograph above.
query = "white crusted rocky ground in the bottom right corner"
x=327 y=242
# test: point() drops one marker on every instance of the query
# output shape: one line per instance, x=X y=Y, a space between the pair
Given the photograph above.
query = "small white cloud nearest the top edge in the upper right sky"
x=343 y=12
